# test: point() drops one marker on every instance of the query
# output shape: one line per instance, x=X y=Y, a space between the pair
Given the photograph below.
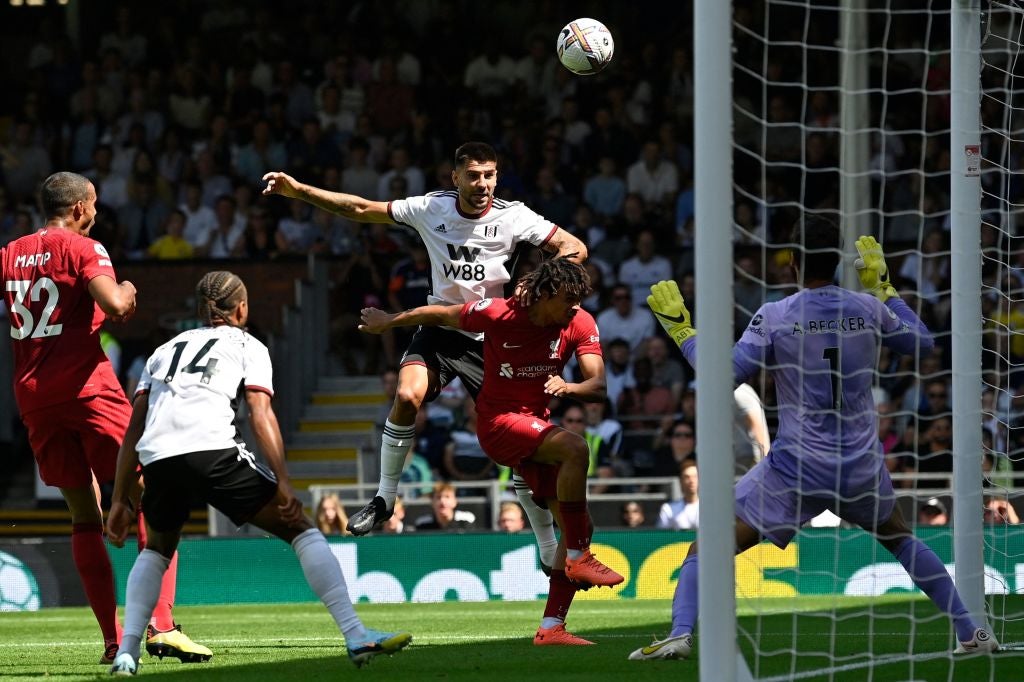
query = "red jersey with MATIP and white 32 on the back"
x=55 y=320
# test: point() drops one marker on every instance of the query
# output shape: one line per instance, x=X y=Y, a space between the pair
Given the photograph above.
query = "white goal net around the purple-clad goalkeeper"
x=845 y=110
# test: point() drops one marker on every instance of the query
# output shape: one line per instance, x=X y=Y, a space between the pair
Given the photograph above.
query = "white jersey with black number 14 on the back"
x=194 y=382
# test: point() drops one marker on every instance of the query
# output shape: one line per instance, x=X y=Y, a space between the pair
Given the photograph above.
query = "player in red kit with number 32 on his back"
x=60 y=287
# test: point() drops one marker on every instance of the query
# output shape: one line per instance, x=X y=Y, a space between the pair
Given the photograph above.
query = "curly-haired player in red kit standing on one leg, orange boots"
x=528 y=340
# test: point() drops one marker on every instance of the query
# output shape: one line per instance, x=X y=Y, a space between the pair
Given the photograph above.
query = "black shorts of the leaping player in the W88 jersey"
x=451 y=355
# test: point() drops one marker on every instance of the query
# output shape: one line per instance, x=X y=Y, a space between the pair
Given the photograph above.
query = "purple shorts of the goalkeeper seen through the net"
x=772 y=501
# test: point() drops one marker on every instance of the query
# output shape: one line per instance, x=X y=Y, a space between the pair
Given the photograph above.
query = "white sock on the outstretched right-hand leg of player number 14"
x=324 y=576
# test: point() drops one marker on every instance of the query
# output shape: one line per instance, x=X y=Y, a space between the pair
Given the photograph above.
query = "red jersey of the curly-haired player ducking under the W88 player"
x=519 y=356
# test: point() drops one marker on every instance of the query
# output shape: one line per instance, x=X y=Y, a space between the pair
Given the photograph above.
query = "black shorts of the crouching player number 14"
x=232 y=481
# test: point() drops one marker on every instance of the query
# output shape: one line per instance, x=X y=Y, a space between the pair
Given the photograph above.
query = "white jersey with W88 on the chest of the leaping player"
x=468 y=253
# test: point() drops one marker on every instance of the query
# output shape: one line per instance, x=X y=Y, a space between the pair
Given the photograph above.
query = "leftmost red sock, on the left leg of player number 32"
x=94 y=565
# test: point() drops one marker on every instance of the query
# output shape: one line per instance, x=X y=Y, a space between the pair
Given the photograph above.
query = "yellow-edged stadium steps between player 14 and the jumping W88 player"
x=334 y=429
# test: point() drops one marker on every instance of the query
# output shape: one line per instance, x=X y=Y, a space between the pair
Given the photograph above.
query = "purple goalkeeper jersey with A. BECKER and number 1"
x=822 y=346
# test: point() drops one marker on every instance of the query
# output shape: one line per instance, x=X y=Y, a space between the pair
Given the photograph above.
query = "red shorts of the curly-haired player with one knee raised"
x=510 y=439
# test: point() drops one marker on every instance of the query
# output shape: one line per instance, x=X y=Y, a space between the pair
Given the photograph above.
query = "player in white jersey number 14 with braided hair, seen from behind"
x=183 y=433
